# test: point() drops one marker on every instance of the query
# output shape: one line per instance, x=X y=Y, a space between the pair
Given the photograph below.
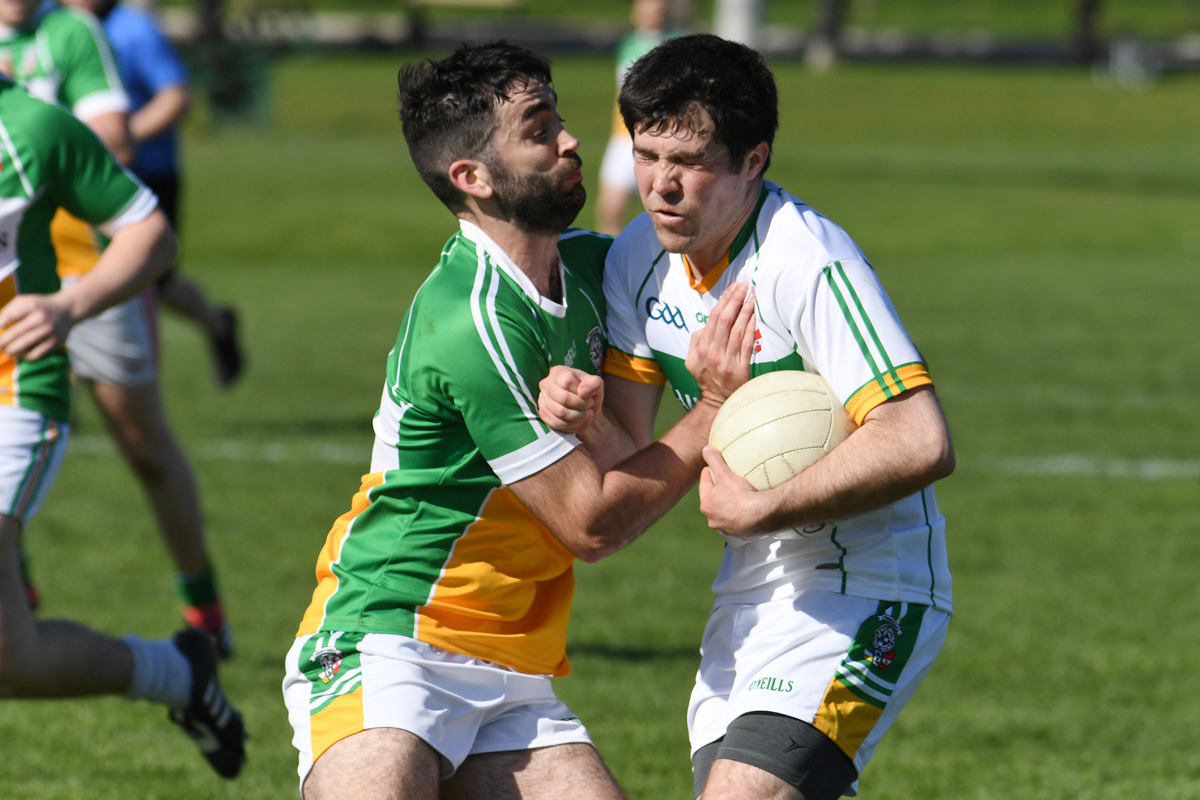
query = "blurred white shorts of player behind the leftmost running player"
x=118 y=346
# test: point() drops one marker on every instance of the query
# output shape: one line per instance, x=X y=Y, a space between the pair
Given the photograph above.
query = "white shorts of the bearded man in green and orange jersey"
x=341 y=684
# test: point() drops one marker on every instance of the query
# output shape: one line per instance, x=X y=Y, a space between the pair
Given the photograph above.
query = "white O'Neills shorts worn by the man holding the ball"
x=845 y=665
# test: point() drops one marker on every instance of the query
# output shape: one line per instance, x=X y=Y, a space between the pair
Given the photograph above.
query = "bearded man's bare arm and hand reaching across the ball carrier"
x=596 y=514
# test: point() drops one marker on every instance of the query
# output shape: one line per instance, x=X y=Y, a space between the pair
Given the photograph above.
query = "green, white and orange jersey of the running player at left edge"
x=49 y=159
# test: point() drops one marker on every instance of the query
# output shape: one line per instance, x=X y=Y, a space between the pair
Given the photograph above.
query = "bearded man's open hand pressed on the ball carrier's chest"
x=719 y=354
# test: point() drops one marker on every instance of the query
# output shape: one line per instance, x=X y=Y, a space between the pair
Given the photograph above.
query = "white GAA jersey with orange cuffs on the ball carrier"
x=820 y=309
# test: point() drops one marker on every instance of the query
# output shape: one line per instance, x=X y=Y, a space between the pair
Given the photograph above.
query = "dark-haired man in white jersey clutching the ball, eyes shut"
x=835 y=594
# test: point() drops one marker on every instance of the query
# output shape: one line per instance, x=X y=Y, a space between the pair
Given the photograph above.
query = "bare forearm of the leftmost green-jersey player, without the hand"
x=137 y=256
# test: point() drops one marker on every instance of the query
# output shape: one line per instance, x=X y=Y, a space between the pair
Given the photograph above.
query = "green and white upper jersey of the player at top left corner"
x=63 y=57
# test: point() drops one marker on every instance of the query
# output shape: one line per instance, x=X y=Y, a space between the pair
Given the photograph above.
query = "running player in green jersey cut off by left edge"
x=49 y=160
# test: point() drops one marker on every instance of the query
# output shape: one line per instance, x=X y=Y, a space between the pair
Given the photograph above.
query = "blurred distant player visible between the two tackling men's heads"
x=617 y=183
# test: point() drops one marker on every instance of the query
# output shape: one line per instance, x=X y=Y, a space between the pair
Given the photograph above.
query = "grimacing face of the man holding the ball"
x=693 y=194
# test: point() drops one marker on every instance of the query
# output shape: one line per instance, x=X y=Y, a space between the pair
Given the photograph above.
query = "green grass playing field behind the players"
x=1040 y=236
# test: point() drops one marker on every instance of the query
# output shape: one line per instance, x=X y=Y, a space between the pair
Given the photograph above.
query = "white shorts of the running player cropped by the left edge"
x=32 y=449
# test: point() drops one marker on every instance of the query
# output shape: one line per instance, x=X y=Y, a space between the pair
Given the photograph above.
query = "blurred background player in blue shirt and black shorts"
x=157 y=83
